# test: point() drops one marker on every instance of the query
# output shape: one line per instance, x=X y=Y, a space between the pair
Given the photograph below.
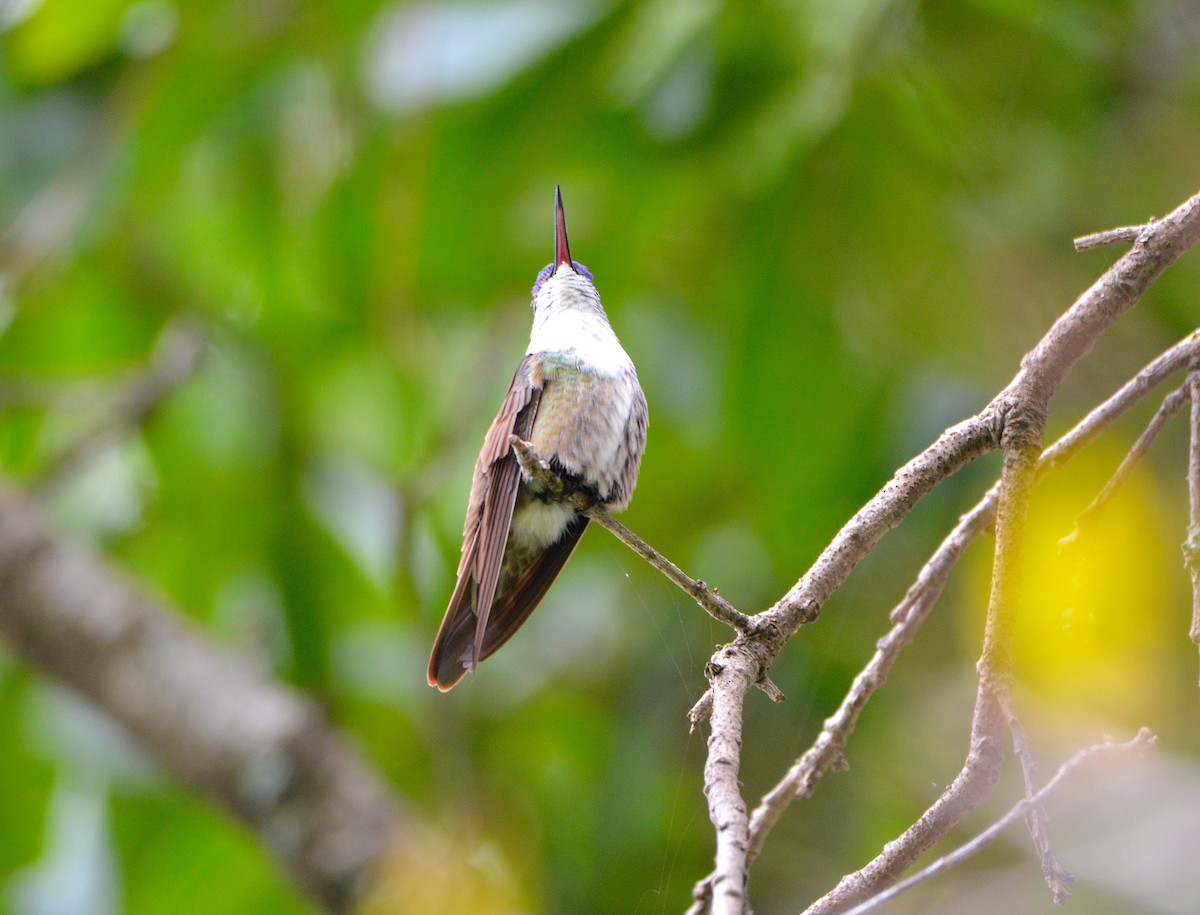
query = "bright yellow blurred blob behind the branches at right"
x=1093 y=618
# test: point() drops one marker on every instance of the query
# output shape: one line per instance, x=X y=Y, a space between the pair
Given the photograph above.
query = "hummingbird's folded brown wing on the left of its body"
x=494 y=495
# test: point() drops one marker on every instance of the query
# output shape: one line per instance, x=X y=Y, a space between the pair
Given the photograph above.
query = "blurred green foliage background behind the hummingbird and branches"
x=824 y=231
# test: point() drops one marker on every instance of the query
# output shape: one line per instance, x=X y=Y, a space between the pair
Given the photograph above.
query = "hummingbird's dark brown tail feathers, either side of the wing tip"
x=455 y=643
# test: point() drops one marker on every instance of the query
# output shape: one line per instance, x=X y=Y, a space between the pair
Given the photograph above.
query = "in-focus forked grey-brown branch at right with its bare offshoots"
x=1015 y=422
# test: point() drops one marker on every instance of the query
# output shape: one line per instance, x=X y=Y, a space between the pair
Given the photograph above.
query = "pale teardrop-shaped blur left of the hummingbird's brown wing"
x=361 y=511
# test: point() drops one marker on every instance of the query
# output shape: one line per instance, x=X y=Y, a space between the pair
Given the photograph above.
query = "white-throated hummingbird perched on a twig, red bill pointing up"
x=577 y=399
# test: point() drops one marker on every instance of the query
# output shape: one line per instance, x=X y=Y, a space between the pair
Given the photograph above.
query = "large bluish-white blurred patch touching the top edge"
x=431 y=53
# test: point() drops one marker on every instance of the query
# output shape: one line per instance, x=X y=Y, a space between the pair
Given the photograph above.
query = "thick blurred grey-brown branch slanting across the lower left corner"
x=251 y=746
